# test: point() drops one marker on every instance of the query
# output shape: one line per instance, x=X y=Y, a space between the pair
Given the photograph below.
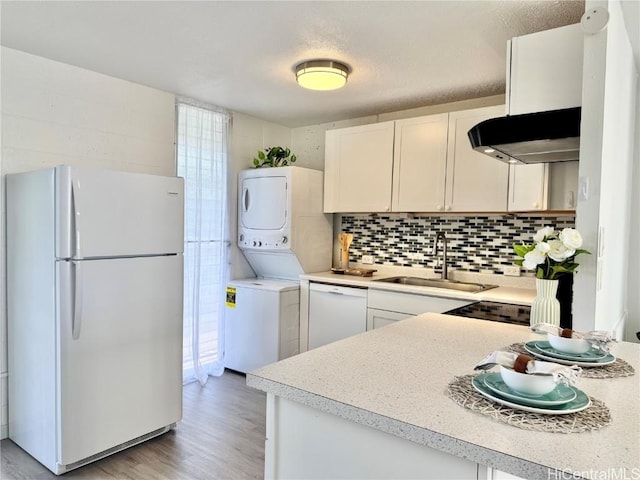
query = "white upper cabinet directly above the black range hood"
x=544 y=70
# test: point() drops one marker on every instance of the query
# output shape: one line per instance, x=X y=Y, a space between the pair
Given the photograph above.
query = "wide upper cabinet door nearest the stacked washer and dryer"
x=358 y=168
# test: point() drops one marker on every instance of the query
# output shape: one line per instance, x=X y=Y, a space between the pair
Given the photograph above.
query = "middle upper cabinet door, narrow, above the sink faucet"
x=419 y=164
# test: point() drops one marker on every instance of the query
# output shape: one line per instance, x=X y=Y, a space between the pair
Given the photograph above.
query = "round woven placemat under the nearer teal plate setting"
x=595 y=417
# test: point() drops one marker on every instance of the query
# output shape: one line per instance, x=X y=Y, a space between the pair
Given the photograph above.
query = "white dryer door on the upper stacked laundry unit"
x=263 y=203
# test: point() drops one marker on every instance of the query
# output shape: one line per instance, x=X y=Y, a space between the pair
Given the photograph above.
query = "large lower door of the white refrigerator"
x=120 y=351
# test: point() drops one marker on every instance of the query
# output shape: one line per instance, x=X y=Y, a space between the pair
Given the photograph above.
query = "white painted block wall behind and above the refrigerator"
x=53 y=113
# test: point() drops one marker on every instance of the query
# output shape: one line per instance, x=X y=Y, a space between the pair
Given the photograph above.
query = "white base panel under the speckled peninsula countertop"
x=303 y=442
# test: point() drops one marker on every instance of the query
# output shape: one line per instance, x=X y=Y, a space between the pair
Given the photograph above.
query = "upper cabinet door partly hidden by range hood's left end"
x=475 y=182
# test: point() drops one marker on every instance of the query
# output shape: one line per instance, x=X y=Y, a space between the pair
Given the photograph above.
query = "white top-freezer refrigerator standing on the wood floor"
x=94 y=297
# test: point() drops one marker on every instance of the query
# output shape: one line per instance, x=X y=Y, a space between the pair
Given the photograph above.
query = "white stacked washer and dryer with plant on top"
x=283 y=233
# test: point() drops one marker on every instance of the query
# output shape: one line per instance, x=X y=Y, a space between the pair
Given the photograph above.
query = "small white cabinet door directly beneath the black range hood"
x=528 y=187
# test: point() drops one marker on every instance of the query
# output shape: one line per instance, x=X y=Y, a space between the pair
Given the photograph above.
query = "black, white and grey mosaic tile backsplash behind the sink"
x=480 y=244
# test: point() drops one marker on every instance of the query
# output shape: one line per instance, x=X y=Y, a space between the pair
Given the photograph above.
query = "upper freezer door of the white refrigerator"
x=105 y=213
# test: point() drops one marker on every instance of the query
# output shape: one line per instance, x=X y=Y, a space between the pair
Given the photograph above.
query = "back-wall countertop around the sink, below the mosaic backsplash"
x=516 y=295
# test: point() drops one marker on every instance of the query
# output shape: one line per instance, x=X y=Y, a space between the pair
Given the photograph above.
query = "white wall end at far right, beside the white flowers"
x=606 y=163
